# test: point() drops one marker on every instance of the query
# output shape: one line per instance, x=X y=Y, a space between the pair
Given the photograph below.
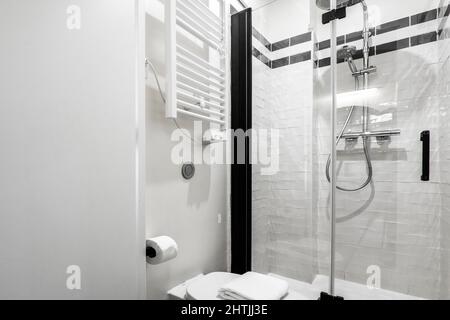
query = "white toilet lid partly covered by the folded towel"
x=207 y=288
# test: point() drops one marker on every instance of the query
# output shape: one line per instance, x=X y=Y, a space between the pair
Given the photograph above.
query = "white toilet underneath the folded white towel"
x=206 y=287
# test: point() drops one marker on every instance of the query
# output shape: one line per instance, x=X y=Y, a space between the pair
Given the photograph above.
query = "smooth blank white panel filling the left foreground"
x=69 y=172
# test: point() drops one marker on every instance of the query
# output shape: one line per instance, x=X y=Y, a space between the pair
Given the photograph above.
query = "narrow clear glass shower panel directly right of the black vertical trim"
x=287 y=240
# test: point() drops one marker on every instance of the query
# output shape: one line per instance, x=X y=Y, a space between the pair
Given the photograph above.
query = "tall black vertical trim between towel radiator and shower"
x=241 y=118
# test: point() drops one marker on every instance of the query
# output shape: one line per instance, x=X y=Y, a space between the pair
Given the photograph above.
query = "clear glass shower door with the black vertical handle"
x=392 y=110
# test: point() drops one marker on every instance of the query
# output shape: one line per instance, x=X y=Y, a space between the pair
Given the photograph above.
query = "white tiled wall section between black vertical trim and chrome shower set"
x=283 y=234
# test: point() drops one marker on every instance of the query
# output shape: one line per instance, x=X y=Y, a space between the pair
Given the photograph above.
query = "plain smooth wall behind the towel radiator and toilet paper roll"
x=194 y=212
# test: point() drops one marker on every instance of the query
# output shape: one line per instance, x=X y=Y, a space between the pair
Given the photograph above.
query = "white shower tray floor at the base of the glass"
x=348 y=290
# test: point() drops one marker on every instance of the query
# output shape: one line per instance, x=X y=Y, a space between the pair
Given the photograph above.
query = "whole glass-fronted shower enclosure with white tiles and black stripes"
x=358 y=92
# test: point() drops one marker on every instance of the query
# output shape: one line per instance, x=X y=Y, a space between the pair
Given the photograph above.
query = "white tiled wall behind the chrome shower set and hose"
x=399 y=223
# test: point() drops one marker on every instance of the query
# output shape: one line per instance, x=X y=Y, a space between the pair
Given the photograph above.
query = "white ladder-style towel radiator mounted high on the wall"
x=198 y=67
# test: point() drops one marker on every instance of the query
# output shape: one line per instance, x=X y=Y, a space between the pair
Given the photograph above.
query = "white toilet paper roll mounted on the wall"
x=161 y=249
